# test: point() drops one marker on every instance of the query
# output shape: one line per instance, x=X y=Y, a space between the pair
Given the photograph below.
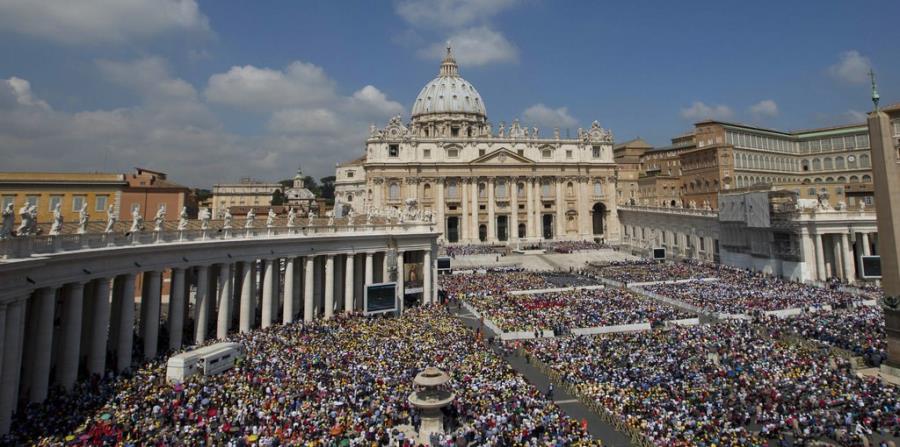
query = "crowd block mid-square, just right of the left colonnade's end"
x=573 y=309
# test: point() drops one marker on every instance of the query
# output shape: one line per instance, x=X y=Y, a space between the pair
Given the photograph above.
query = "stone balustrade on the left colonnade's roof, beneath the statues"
x=25 y=246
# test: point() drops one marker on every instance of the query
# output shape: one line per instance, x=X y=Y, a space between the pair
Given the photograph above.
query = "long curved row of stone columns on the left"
x=54 y=334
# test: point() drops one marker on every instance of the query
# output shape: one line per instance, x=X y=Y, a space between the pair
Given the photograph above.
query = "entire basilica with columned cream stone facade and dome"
x=483 y=185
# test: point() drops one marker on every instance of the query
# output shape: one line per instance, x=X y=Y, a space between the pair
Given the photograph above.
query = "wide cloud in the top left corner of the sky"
x=100 y=21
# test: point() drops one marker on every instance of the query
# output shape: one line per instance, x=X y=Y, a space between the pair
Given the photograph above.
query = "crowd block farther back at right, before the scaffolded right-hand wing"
x=743 y=292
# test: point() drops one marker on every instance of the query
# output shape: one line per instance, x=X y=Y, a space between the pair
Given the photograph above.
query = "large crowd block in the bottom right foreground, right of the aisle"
x=725 y=384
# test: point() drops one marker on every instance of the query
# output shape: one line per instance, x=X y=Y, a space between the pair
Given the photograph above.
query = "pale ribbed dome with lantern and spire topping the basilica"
x=448 y=93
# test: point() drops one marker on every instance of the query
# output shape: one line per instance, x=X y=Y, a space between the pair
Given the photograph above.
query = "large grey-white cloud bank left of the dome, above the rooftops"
x=172 y=129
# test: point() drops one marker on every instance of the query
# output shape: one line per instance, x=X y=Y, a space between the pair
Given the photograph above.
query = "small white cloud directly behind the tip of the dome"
x=474 y=47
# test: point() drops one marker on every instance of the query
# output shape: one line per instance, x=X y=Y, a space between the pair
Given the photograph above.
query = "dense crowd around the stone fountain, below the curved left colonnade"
x=339 y=382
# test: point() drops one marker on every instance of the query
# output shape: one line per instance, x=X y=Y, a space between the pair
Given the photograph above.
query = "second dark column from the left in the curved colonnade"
x=45 y=305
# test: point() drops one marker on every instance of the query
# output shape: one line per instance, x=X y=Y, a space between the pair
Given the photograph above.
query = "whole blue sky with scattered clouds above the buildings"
x=210 y=91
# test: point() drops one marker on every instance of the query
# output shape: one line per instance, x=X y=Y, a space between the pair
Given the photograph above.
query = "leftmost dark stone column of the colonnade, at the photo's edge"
x=13 y=339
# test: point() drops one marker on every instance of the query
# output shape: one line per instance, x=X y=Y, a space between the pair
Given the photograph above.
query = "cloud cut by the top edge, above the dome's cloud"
x=449 y=13
